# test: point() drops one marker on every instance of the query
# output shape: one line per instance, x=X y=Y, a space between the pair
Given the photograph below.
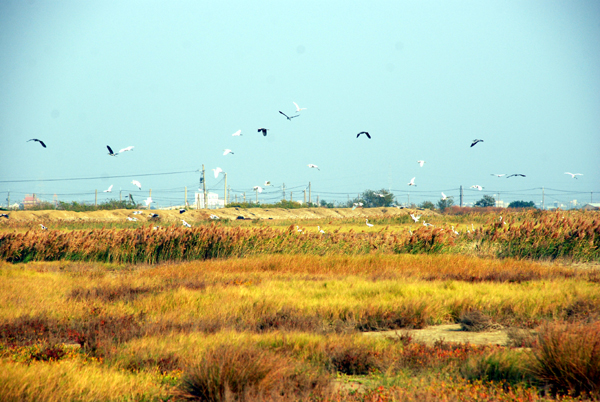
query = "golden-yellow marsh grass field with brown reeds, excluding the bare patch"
x=257 y=310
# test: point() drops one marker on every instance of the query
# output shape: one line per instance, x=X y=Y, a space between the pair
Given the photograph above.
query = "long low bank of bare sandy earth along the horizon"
x=204 y=214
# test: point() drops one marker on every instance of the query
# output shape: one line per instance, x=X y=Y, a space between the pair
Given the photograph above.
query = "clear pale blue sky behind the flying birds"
x=176 y=78
